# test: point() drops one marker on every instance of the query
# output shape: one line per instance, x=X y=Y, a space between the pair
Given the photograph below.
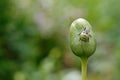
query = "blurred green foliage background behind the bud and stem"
x=34 y=39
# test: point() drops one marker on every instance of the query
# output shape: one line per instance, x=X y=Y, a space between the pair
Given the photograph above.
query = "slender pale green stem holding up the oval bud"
x=84 y=68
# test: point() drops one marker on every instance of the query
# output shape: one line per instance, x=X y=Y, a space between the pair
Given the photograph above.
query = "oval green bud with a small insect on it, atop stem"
x=82 y=39
